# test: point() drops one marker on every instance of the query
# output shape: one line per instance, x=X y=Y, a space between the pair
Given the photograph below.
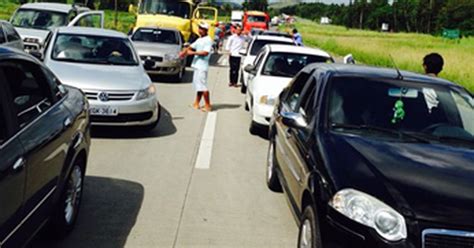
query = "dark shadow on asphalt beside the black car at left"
x=108 y=213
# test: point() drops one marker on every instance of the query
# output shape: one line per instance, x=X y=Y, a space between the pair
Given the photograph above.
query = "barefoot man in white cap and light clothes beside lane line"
x=201 y=49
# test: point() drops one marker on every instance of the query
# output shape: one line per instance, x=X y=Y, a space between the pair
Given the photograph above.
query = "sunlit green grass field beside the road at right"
x=407 y=49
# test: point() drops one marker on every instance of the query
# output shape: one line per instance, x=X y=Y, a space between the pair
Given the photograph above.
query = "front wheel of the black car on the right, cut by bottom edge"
x=309 y=233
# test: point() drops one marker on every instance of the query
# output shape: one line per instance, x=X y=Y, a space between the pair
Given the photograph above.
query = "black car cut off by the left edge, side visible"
x=44 y=145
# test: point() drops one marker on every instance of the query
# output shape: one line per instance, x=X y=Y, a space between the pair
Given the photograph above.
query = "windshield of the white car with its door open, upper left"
x=38 y=19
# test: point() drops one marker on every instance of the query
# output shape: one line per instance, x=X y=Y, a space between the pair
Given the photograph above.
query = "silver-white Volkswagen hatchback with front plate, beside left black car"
x=104 y=64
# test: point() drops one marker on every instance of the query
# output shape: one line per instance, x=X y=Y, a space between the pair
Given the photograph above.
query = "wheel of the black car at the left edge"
x=65 y=214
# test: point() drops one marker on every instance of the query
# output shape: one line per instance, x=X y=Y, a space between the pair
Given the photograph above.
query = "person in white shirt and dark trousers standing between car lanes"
x=234 y=45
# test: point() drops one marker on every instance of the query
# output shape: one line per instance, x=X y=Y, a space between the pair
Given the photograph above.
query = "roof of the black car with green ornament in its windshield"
x=376 y=72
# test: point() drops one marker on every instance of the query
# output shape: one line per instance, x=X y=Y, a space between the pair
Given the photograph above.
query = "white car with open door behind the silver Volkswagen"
x=34 y=21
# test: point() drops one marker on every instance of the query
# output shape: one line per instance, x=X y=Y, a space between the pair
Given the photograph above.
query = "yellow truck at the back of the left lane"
x=183 y=15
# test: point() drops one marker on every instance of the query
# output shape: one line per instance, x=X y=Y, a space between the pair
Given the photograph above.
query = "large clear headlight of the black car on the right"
x=371 y=212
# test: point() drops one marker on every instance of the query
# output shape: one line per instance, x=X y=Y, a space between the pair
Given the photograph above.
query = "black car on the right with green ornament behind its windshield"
x=372 y=157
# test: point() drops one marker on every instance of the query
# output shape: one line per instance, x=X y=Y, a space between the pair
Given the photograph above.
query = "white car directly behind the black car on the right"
x=273 y=70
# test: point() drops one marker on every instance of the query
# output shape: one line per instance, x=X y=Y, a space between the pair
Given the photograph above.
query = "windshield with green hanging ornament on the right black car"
x=425 y=109
